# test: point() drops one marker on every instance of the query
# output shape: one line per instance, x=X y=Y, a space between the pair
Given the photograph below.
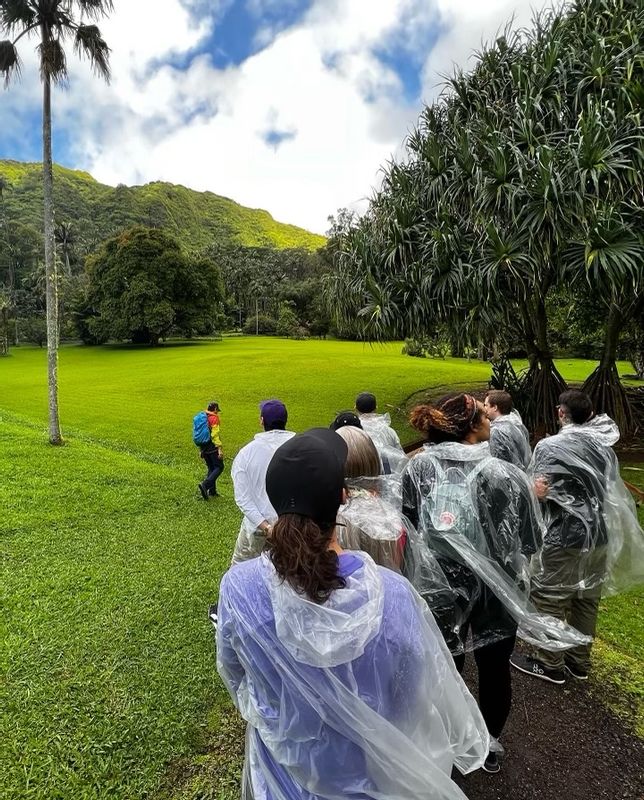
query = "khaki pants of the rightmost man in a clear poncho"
x=556 y=591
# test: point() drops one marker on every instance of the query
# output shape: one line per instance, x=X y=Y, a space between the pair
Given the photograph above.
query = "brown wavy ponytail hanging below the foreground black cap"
x=298 y=548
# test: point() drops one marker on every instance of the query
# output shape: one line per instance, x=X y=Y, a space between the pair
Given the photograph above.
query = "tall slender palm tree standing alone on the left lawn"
x=52 y=22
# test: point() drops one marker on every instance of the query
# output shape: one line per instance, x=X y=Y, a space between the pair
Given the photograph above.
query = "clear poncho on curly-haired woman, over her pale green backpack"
x=479 y=516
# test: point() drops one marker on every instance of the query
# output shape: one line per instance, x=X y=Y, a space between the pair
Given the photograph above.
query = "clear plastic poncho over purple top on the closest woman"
x=357 y=697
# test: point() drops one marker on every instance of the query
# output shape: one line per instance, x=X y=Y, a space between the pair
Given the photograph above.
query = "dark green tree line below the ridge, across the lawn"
x=141 y=285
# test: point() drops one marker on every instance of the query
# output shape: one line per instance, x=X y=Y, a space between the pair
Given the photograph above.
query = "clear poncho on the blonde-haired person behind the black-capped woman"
x=372 y=521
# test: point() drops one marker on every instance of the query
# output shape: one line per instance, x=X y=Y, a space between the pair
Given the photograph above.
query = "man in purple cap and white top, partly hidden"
x=248 y=473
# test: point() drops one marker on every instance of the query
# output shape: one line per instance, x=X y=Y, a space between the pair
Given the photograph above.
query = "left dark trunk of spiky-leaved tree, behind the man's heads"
x=542 y=383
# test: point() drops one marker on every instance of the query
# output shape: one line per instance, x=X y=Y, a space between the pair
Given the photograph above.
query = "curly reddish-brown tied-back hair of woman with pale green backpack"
x=449 y=420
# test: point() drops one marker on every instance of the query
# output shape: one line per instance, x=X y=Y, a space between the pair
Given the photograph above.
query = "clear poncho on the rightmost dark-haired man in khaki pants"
x=593 y=541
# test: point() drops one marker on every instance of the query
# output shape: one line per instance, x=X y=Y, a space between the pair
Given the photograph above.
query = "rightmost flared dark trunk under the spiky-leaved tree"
x=603 y=385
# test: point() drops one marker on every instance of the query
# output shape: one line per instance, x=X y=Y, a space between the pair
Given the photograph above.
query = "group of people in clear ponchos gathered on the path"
x=361 y=577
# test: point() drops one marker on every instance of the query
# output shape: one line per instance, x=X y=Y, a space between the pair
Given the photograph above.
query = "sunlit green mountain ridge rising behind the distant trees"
x=96 y=210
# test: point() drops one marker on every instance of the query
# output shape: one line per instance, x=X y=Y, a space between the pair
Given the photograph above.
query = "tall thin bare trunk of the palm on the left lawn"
x=51 y=282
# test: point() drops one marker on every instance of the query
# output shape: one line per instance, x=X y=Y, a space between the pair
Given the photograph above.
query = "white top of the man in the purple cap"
x=249 y=477
